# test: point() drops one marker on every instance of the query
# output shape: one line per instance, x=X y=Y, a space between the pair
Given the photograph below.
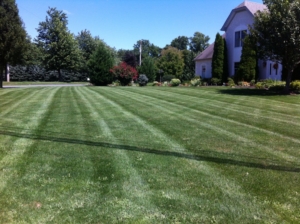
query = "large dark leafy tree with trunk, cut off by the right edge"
x=276 y=31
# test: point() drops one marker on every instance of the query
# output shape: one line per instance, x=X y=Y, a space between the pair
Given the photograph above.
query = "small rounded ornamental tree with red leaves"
x=124 y=73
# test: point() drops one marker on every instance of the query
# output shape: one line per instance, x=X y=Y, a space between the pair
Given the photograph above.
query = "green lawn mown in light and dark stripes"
x=148 y=155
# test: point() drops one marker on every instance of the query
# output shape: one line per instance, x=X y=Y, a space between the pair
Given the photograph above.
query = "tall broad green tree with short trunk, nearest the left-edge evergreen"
x=59 y=46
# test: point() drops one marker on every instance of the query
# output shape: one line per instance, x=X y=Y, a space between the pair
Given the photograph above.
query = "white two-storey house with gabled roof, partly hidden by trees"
x=236 y=28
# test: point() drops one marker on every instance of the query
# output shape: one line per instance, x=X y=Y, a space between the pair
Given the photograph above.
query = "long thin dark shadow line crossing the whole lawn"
x=152 y=151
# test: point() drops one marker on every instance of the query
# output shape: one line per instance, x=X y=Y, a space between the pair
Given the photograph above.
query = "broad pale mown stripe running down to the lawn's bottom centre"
x=134 y=190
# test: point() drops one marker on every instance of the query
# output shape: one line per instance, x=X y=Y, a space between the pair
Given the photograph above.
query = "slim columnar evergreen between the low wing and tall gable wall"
x=218 y=58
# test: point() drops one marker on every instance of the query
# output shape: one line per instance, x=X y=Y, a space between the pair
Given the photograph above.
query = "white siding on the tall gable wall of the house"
x=240 y=22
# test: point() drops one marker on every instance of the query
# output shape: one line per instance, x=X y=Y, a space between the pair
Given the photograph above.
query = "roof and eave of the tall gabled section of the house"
x=251 y=7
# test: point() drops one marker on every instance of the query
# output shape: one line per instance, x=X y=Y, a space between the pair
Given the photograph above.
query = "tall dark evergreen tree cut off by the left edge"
x=12 y=36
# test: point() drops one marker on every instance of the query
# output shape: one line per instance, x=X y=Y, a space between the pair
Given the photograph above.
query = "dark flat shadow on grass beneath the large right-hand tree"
x=250 y=92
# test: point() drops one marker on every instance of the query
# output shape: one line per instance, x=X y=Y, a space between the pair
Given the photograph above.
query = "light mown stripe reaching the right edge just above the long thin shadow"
x=201 y=126
